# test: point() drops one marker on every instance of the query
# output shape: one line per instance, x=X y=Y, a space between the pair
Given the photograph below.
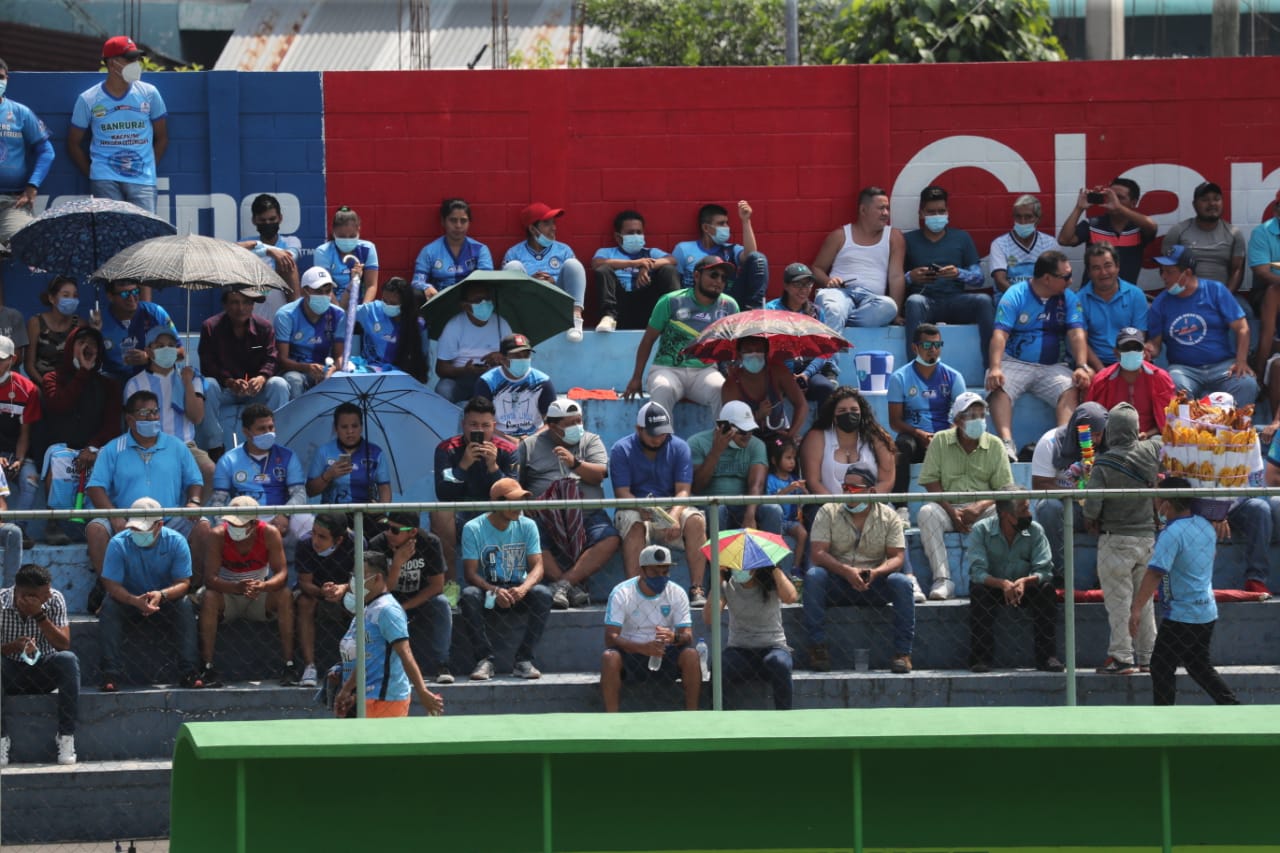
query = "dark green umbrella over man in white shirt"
x=533 y=308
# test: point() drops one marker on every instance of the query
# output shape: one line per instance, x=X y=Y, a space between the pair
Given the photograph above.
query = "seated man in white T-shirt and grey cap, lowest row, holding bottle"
x=648 y=633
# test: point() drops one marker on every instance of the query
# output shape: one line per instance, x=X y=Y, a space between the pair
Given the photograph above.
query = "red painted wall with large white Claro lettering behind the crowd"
x=798 y=143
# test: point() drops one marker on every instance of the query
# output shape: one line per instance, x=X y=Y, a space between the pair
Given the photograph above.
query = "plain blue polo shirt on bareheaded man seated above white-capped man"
x=129 y=472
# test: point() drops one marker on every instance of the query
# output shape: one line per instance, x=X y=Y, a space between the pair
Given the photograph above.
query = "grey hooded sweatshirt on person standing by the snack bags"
x=1127 y=464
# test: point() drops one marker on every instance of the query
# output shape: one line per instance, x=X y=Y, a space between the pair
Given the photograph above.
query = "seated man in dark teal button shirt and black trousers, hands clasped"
x=1009 y=564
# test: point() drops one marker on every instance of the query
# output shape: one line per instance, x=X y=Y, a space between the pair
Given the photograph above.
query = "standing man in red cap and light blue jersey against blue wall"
x=127 y=124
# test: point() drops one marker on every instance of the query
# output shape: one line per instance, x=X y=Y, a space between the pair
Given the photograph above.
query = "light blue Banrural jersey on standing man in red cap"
x=121 y=145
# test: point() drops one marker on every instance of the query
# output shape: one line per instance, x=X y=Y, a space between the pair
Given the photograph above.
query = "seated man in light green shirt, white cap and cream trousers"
x=963 y=459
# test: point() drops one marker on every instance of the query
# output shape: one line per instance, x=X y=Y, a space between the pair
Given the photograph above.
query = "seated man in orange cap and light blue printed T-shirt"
x=502 y=556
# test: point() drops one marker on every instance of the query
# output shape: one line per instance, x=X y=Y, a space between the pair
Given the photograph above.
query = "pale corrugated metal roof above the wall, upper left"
x=376 y=35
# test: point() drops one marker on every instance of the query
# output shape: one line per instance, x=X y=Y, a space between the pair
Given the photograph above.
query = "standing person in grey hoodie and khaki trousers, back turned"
x=1127 y=535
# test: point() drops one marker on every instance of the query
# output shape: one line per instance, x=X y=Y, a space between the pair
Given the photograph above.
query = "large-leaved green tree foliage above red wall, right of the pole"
x=944 y=31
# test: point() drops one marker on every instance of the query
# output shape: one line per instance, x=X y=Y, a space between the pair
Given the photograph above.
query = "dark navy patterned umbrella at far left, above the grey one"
x=77 y=238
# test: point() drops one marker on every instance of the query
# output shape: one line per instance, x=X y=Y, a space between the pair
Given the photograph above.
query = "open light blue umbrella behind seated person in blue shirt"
x=401 y=416
